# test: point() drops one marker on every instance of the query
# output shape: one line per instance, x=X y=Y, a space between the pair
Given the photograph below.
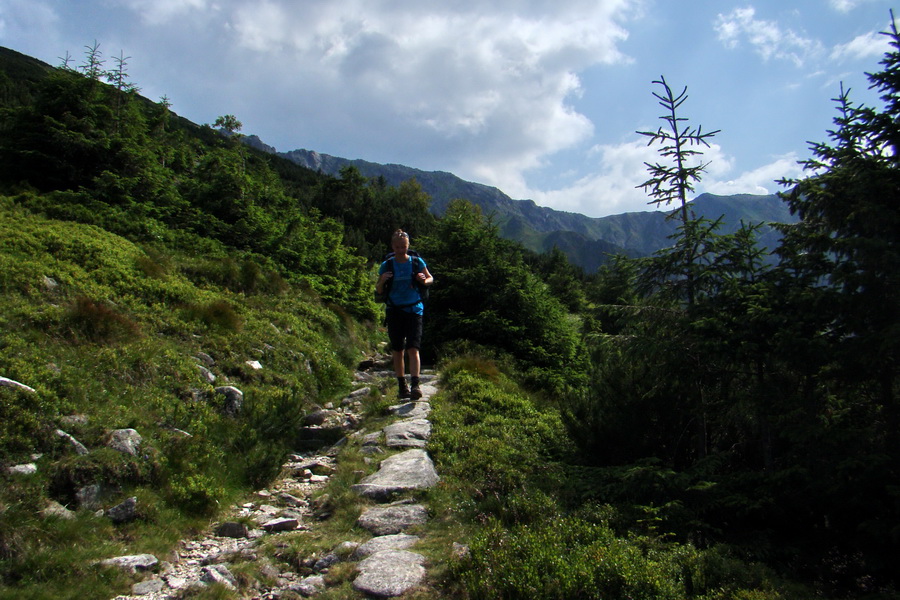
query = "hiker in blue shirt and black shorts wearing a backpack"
x=404 y=274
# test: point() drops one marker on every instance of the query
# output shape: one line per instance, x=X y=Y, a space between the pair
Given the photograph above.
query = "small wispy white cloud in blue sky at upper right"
x=767 y=38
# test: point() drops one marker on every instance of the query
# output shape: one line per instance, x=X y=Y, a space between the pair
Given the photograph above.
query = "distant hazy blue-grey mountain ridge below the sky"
x=587 y=241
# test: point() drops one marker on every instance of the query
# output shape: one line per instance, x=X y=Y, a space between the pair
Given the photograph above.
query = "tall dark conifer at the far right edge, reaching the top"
x=846 y=248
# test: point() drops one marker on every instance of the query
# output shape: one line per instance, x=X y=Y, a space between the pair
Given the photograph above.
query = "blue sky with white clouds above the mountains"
x=539 y=98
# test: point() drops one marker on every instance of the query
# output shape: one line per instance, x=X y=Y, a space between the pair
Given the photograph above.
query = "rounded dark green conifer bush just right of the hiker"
x=485 y=294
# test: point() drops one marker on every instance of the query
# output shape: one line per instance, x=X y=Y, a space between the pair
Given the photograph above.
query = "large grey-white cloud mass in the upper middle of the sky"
x=490 y=84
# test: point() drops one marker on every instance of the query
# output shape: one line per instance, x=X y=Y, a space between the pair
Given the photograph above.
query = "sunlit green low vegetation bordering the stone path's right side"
x=502 y=456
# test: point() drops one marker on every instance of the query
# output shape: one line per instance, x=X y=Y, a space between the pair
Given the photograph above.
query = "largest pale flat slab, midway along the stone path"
x=404 y=472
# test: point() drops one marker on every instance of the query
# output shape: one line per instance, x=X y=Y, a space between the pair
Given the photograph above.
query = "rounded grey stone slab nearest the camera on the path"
x=390 y=573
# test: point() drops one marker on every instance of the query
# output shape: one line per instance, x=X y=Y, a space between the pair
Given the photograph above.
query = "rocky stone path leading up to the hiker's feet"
x=387 y=564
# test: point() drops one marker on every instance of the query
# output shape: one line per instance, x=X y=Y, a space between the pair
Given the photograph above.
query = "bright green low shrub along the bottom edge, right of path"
x=567 y=557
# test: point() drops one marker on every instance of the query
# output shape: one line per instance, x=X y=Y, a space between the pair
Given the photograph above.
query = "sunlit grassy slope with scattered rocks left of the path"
x=116 y=340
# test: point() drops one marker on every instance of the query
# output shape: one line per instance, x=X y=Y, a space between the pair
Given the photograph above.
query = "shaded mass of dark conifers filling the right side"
x=743 y=402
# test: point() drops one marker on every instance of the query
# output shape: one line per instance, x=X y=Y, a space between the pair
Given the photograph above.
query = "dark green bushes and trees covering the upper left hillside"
x=99 y=154
